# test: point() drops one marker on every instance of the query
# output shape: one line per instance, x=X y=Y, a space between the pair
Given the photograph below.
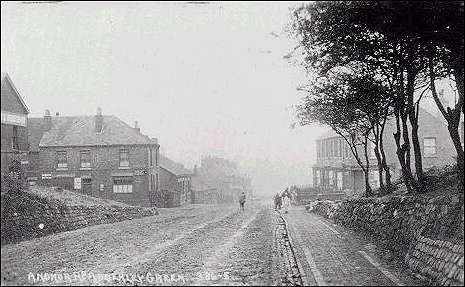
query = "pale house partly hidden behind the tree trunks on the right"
x=337 y=170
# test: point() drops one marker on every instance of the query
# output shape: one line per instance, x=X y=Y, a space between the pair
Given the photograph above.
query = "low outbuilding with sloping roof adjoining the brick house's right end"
x=175 y=183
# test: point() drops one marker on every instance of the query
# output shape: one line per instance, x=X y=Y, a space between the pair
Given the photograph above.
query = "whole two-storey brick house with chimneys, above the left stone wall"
x=96 y=155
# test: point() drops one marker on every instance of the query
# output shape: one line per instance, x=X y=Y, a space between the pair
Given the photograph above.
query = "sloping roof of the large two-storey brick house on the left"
x=80 y=131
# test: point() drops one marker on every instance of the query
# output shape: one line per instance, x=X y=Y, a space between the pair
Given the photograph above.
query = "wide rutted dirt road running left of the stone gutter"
x=201 y=246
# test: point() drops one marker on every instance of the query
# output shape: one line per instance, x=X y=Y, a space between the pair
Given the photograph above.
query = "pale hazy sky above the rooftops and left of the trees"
x=202 y=78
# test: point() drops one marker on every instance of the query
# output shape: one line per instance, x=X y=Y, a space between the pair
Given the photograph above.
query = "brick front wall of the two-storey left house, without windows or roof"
x=104 y=165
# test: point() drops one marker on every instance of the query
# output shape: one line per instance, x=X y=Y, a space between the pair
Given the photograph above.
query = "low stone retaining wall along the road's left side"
x=25 y=216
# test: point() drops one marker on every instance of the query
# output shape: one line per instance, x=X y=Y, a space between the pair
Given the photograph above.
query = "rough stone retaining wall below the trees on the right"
x=427 y=232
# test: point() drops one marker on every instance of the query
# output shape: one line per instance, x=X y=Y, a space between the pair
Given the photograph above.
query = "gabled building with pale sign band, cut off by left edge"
x=14 y=145
